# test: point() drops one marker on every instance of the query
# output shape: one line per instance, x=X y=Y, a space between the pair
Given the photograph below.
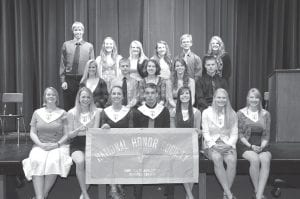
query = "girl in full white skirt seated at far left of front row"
x=49 y=156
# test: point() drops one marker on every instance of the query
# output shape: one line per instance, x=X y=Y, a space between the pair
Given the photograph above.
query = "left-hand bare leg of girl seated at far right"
x=253 y=158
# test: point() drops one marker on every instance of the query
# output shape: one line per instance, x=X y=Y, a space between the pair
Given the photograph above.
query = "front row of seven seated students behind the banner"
x=53 y=131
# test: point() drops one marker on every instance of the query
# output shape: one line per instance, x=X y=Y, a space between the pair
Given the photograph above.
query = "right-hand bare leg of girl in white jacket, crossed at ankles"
x=230 y=161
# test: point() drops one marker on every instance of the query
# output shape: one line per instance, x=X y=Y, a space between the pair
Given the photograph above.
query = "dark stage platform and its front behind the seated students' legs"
x=285 y=165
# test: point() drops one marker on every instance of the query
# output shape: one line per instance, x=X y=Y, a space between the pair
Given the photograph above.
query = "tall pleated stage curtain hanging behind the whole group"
x=260 y=36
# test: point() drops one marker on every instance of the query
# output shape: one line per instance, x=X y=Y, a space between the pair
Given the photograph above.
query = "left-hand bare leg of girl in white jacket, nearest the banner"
x=220 y=172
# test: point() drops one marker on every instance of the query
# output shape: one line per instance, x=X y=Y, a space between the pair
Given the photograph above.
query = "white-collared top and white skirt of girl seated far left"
x=56 y=161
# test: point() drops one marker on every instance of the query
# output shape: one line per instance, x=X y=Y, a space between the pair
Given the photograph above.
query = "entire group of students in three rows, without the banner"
x=114 y=92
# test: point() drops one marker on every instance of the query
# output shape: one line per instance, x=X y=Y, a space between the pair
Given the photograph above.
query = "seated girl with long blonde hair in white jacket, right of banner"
x=220 y=132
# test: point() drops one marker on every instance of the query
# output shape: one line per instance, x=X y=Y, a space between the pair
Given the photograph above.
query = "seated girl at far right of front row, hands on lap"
x=254 y=134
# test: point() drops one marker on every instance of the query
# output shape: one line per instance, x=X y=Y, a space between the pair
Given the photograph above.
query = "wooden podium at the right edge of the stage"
x=284 y=105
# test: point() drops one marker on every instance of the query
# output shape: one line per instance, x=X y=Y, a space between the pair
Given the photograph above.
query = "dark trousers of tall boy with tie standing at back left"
x=69 y=95
